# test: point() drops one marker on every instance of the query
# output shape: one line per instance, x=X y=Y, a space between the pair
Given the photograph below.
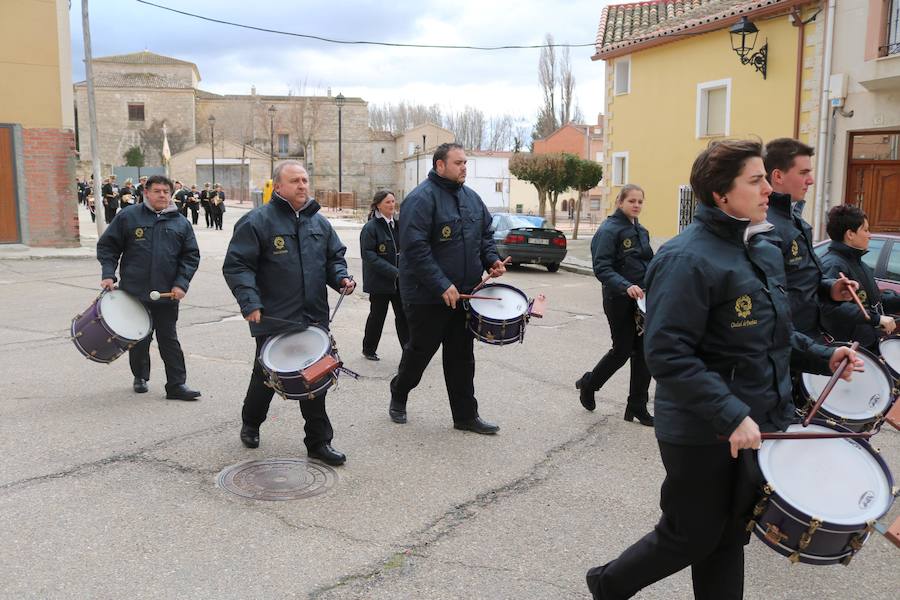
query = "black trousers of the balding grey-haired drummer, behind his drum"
x=256 y=406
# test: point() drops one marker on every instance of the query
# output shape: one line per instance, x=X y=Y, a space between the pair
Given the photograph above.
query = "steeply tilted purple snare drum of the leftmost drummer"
x=112 y=324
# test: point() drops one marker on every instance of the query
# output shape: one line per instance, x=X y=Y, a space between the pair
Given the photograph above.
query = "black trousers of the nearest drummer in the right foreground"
x=704 y=497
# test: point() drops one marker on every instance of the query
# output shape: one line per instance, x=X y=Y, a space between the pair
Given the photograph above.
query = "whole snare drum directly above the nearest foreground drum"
x=858 y=405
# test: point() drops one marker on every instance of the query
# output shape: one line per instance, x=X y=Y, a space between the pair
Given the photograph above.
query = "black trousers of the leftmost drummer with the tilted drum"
x=165 y=319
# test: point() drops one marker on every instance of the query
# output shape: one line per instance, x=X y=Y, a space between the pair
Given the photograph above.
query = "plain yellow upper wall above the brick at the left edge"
x=35 y=64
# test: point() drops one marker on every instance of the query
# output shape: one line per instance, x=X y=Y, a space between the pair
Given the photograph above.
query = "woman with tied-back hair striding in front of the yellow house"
x=621 y=252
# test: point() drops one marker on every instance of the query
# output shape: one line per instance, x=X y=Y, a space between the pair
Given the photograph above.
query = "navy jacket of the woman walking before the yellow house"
x=621 y=252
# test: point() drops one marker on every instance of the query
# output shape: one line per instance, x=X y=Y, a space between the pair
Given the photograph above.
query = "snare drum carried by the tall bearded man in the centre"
x=502 y=321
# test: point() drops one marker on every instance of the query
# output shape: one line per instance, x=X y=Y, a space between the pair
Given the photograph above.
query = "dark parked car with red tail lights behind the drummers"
x=523 y=241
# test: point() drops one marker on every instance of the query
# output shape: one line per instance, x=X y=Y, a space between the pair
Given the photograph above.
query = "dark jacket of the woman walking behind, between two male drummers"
x=380 y=255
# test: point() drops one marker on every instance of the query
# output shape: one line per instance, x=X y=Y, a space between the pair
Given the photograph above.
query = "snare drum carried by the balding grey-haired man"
x=300 y=365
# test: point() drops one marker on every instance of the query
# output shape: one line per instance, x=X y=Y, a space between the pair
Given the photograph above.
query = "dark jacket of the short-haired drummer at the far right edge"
x=843 y=320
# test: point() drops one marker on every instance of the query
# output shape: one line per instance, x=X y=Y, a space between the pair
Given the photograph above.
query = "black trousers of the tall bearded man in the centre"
x=430 y=326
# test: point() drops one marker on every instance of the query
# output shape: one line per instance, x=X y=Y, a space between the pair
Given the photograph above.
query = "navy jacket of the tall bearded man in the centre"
x=445 y=238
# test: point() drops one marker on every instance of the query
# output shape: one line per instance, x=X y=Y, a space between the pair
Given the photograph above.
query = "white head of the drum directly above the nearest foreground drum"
x=869 y=393
